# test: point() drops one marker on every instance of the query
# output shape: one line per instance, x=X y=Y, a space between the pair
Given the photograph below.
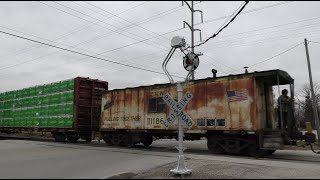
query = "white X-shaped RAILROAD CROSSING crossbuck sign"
x=177 y=110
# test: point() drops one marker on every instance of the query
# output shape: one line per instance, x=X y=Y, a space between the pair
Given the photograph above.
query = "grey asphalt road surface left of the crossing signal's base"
x=34 y=159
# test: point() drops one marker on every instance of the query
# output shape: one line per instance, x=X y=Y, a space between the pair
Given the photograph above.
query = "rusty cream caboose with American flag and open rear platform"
x=235 y=113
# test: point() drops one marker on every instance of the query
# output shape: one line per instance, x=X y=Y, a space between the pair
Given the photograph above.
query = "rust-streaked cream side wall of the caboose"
x=209 y=101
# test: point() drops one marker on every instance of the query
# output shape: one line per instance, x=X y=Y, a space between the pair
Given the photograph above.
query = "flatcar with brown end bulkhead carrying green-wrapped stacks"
x=68 y=109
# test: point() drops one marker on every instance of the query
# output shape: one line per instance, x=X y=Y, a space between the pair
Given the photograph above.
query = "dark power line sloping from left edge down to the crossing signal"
x=65 y=49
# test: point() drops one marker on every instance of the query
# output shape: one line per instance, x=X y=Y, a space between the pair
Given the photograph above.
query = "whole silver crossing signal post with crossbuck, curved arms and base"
x=177 y=107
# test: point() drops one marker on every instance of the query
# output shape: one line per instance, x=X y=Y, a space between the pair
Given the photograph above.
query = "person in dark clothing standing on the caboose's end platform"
x=283 y=108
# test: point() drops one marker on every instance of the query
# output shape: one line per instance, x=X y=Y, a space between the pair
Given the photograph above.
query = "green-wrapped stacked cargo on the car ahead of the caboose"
x=49 y=105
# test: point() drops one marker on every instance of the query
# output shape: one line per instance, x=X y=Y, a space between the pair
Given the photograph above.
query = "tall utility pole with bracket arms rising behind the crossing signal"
x=192 y=28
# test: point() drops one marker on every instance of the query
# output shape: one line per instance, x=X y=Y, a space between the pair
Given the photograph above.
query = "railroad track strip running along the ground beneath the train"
x=163 y=148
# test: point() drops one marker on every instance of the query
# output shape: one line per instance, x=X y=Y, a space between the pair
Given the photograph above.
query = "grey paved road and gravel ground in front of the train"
x=47 y=159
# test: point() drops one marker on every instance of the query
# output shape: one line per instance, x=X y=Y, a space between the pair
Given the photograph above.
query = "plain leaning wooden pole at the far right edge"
x=314 y=105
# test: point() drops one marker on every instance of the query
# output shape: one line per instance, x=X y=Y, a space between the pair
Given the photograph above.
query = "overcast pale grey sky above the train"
x=266 y=35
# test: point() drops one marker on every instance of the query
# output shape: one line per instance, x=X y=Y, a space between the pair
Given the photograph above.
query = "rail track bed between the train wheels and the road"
x=193 y=148
